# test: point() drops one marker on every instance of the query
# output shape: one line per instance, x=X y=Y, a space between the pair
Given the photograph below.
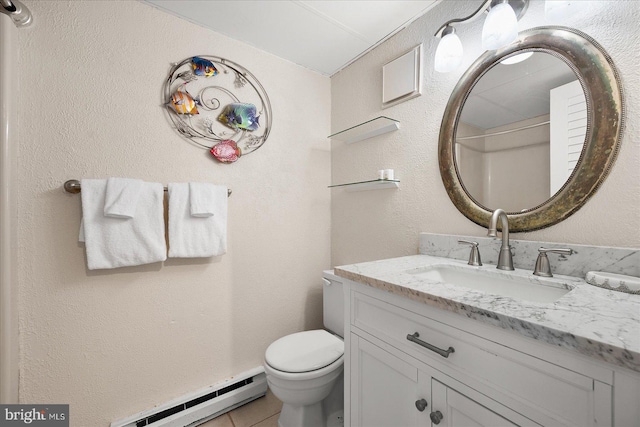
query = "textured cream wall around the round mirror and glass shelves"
x=381 y=224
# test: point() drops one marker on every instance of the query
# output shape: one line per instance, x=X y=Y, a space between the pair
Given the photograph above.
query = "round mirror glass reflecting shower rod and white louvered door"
x=520 y=133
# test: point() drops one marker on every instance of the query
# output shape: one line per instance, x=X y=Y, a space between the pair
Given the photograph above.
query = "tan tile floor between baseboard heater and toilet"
x=262 y=412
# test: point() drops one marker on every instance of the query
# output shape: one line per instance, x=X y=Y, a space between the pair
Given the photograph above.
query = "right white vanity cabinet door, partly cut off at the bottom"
x=452 y=409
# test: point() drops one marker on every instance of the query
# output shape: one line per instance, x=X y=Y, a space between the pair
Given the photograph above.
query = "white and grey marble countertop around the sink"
x=592 y=321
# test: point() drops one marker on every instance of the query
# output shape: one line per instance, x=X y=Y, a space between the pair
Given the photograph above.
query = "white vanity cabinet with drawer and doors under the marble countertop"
x=492 y=377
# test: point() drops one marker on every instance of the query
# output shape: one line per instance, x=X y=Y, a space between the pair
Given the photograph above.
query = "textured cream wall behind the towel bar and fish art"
x=112 y=343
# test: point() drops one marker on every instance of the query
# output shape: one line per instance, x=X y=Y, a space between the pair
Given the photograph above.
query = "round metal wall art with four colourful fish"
x=218 y=105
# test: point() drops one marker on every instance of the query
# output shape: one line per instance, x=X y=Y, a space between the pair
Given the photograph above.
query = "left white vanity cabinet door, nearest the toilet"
x=384 y=388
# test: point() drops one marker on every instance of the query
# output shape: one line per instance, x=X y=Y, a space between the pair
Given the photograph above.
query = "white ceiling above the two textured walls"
x=324 y=36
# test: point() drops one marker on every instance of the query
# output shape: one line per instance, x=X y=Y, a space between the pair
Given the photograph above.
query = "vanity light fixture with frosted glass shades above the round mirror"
x=500 y=29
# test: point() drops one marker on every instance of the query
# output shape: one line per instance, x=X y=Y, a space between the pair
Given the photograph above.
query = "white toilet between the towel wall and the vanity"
x=304 y=370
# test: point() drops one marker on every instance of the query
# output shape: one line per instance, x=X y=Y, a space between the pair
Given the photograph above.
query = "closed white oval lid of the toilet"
x=304 y=351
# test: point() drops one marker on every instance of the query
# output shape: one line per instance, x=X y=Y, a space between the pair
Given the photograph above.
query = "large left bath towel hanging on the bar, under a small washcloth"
x=119 y=242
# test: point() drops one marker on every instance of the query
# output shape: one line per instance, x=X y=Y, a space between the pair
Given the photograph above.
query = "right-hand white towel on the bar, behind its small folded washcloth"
x=196 y=237
